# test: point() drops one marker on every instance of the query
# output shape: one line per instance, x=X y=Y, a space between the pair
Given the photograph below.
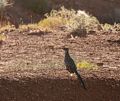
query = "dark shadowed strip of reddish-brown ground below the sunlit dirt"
x=58 y=89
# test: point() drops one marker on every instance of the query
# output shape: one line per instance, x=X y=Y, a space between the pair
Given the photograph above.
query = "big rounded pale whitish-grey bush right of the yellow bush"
x=83 y=23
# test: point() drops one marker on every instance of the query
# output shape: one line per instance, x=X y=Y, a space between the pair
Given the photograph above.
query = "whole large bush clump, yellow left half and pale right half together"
x=75 y=21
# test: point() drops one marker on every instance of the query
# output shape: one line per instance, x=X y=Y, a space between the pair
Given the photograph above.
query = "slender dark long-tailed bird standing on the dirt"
x=71 y=67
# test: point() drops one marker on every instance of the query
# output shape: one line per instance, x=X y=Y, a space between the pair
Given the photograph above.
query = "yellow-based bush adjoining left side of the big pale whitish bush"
x=57 y=18
